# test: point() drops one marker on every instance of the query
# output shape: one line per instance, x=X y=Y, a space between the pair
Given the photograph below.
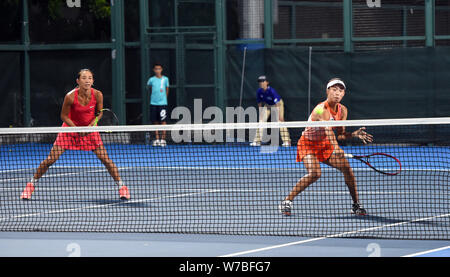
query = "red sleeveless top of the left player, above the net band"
x=82 y=115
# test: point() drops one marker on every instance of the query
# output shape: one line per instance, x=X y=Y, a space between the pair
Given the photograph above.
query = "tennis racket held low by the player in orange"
x=380 y=162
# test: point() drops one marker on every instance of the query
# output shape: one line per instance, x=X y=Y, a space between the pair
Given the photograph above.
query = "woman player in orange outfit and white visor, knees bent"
x=319 y=145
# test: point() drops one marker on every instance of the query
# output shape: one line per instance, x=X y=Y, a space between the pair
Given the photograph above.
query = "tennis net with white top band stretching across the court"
x=207 y=179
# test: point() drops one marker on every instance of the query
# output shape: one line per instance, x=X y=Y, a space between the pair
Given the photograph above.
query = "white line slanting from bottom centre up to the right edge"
x=331 y=236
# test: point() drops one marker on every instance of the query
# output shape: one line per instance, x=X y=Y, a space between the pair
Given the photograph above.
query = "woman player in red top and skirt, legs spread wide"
x=79 y=109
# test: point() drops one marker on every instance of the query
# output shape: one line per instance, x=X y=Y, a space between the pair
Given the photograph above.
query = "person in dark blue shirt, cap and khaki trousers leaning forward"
x=267 y=97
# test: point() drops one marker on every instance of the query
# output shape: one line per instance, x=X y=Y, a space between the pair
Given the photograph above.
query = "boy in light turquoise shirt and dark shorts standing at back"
x=158 y=102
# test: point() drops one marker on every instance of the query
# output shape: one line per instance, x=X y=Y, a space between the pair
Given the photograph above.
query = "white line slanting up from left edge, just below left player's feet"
x=103 y=205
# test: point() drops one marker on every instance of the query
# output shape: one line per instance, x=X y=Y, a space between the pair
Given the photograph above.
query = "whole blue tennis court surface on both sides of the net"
x=216 y=198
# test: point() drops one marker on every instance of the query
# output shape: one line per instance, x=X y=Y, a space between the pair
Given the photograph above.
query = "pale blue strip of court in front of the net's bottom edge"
x=189 y=245
